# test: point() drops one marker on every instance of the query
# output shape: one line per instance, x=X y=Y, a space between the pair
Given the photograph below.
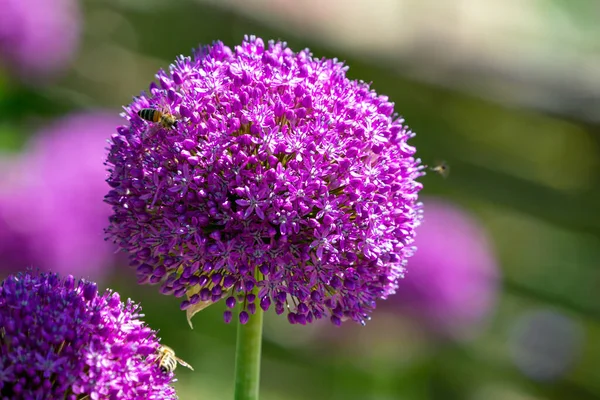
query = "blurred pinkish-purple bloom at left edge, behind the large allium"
x=54 y=210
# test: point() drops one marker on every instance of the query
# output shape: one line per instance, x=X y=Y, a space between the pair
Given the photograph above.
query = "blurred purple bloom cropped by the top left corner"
x=38 y=37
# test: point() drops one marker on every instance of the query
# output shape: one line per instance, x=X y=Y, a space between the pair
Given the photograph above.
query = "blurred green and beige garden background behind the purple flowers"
x=506 y=92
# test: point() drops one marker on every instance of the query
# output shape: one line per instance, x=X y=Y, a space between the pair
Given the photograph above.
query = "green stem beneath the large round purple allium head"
x=247 y=357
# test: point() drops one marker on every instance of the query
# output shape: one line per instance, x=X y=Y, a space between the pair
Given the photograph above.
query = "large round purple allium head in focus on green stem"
x=284 y=185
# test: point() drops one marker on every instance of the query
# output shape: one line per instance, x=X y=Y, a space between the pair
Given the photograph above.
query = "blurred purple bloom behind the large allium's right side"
x=452 y=281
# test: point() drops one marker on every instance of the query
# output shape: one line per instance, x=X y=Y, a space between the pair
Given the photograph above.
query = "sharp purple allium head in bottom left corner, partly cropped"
x=61 y=339
